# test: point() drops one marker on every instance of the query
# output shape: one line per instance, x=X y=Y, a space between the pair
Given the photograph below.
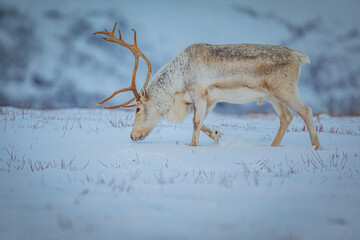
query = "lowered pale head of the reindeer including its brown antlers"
x=145 y=116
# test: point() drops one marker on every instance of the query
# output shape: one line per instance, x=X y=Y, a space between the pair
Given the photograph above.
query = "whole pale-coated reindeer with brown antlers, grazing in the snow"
x=204 y=74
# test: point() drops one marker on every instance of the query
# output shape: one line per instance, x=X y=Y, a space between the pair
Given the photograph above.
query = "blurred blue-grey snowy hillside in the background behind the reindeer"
x=49 y=58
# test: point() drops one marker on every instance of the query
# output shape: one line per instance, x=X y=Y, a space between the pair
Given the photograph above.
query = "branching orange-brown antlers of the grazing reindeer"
x=137 y=53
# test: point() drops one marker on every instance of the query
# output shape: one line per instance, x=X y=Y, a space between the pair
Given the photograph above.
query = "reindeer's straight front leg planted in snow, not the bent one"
x=199 y=115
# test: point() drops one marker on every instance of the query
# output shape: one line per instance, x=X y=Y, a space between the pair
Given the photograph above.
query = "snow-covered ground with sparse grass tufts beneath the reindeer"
x=75 y=174
